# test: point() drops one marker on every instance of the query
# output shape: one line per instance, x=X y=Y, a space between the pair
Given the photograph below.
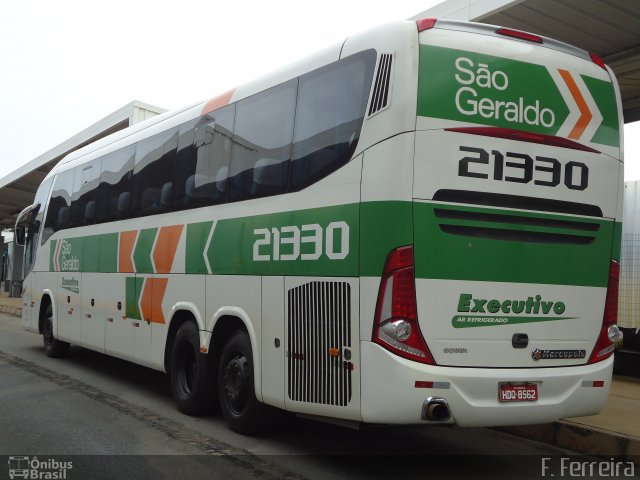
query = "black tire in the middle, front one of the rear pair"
x=191 y=373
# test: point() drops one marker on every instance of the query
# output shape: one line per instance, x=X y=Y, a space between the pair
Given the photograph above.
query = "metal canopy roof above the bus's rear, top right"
x=609 y=28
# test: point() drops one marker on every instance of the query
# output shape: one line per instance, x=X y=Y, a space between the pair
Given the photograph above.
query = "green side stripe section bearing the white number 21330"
x=314 y=242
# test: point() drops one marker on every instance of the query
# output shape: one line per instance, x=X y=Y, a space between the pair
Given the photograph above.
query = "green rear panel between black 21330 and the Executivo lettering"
x=521 y=251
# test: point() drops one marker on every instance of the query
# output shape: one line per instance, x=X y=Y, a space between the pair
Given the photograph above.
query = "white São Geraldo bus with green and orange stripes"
x=419 y=225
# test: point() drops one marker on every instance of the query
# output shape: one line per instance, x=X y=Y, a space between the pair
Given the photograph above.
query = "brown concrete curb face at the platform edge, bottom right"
x=587 y=440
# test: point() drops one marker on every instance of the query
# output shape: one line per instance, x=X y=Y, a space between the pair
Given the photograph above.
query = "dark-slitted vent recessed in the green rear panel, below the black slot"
x=516 y=228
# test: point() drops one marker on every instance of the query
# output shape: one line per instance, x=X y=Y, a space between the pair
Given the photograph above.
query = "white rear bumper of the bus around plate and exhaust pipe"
x=394 y=391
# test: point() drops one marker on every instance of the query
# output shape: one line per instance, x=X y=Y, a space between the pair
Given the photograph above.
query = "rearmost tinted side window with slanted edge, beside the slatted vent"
x=331 y=105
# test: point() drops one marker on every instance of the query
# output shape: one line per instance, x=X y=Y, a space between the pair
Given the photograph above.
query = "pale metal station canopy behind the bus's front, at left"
x=18 y=189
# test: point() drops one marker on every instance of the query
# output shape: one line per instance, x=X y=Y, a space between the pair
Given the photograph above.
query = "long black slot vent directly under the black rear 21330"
x=516 y=201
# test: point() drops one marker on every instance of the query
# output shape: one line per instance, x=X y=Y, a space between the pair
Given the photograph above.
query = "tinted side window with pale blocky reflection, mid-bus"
x=203 y=165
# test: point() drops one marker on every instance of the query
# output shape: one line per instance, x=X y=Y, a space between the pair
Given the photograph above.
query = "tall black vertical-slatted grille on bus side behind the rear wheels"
x=319 y=328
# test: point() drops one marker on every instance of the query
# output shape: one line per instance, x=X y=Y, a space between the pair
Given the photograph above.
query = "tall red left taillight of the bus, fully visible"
x=396 y=325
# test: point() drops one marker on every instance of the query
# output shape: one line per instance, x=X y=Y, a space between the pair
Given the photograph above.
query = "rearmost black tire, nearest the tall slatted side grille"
x=240 y=408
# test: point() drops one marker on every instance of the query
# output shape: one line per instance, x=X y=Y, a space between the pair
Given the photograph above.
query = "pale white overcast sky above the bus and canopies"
x=67 y=64
